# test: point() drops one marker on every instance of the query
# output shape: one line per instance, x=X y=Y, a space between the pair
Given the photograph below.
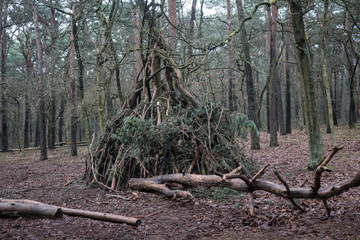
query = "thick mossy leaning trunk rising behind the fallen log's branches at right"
x=307 y=86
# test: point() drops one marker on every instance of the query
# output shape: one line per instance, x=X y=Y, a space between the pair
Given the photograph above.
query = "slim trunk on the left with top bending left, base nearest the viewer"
x=41 y=81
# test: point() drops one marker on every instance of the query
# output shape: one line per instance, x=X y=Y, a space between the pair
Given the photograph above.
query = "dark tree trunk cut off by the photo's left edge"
x=4 y=125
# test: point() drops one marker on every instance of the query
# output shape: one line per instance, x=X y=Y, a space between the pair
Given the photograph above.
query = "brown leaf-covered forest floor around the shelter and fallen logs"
x=212 y=214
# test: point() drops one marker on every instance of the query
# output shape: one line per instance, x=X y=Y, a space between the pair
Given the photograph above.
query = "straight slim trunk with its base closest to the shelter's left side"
x=73 y=110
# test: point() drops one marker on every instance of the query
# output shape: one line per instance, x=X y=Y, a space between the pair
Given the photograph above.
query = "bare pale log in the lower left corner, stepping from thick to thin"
x=24 y=207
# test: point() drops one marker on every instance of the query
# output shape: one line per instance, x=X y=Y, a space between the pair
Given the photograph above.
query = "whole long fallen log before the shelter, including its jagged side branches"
x=242 y=183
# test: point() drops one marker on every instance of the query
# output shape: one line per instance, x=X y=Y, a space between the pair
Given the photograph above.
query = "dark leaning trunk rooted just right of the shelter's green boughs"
x=255 y=138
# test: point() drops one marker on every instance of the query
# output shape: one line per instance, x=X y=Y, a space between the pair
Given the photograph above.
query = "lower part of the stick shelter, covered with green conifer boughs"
x=151 y=140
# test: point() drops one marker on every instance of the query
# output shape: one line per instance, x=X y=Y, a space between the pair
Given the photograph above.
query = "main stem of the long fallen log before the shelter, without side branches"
x=159 y=184
